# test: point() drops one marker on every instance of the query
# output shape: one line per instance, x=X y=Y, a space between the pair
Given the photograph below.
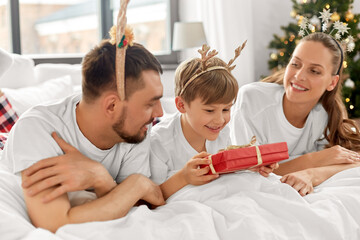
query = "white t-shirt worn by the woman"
x=259 y=112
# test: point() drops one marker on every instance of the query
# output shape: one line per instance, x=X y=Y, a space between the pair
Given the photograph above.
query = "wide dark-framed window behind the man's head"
x=64 y=30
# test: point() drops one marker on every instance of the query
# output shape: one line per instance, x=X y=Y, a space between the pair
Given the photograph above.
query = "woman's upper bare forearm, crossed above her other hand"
x=330 y=156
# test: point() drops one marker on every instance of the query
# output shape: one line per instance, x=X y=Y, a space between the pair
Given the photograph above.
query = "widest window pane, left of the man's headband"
x=58 y=27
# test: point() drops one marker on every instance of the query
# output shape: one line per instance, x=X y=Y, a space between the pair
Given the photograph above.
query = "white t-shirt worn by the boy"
x=169 y=149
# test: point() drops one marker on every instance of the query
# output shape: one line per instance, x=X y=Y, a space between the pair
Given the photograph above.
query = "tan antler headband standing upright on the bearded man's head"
x=124 y=37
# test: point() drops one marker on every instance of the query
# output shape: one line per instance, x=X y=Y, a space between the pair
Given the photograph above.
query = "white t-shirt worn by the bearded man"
x=30 y=141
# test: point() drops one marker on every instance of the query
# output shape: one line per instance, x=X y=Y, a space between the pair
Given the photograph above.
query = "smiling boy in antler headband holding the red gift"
x=205 y=90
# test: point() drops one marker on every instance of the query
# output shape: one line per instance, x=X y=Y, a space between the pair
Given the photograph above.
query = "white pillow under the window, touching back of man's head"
x=46 y=71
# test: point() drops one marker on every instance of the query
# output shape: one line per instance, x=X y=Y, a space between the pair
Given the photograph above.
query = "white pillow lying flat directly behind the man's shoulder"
x=24 y=98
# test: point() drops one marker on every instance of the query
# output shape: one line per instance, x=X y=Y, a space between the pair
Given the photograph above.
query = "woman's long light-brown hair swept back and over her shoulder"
x=339 y=130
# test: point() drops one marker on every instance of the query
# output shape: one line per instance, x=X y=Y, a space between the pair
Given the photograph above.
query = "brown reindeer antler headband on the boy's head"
x=204 y=68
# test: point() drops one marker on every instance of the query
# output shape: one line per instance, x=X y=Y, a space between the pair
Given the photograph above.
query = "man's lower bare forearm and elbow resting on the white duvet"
x=113 y=205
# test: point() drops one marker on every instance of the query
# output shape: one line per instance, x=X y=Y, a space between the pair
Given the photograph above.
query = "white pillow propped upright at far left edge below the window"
x=20 y=74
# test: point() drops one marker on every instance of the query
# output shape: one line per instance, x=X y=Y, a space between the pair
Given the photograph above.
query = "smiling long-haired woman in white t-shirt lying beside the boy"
x=305 y=110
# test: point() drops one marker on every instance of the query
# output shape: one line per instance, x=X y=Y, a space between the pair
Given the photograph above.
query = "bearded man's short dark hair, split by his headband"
x=98 y=69
